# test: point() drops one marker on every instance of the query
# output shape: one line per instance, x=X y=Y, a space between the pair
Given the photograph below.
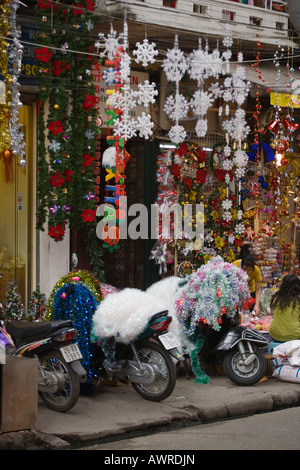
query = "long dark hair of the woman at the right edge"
x=288 y=292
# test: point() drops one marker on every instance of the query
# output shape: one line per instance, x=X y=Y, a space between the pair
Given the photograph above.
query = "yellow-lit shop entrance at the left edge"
x=17 y=188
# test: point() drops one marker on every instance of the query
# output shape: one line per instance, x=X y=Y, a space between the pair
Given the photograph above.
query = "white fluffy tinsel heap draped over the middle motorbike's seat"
x=125 y=314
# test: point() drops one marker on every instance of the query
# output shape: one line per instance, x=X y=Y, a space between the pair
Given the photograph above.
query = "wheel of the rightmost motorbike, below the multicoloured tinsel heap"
x=242 y=374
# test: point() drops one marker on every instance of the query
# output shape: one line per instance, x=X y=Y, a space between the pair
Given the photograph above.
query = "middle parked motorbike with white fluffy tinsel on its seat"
x=147 y=363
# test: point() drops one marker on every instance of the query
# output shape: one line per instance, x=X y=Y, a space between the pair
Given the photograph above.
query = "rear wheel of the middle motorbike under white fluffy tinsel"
x=165 y=380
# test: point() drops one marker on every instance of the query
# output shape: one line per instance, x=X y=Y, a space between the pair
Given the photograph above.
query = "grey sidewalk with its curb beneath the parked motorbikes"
x=115 y=411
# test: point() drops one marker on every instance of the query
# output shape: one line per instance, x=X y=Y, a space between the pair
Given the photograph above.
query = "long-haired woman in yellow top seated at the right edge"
x=285 y=305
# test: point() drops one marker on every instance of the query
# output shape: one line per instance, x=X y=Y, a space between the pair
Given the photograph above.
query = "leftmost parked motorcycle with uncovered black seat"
x=59 y=368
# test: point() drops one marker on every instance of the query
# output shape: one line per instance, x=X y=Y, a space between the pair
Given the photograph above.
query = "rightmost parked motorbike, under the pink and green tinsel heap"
x=238 y=348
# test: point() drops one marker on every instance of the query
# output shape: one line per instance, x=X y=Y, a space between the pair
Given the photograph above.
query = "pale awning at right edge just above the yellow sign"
x=273 y=81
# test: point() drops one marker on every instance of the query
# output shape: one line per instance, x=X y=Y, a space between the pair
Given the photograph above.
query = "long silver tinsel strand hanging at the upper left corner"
x=15 y=53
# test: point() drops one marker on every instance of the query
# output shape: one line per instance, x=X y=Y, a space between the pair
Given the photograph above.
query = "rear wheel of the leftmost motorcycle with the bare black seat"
x=67 y=395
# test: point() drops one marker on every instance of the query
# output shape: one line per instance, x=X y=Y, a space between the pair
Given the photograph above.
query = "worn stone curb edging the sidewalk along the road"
x=246 y=404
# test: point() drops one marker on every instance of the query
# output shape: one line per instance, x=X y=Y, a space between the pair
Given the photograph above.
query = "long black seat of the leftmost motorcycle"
x=23 y=330
